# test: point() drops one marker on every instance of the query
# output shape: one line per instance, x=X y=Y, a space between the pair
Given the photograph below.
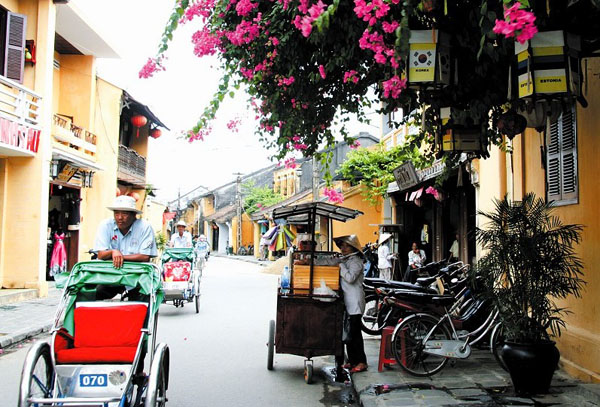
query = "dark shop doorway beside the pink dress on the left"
x=63 y=221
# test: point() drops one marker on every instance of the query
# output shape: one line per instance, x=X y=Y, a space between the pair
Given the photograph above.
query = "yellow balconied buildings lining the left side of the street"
x=62 y=132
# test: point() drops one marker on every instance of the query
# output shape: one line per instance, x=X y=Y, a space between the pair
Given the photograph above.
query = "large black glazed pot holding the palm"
x=531 y=366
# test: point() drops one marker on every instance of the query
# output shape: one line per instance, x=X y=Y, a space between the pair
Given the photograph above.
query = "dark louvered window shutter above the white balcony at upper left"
x=14 y=57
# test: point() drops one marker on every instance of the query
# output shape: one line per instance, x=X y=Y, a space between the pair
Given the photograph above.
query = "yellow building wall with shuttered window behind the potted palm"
x=565 y=173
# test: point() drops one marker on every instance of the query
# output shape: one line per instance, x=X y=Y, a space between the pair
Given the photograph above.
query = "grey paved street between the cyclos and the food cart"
x=218 y=357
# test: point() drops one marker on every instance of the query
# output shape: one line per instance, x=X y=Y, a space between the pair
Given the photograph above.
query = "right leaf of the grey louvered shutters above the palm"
x=568 y=155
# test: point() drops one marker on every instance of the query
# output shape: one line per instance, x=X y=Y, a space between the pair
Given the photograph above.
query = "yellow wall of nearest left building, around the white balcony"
x=26 y=179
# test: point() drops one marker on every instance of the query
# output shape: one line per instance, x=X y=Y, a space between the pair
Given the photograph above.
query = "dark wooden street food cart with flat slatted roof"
x=308 y=322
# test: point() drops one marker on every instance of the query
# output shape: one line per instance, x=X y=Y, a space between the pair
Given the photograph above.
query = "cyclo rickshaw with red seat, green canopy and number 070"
x=97 y=349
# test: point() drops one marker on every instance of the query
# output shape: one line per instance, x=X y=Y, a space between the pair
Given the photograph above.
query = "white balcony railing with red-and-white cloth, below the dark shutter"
x=19 y=119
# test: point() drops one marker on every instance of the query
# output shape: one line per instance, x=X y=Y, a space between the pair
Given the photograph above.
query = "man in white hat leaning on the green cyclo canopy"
x=124 y=237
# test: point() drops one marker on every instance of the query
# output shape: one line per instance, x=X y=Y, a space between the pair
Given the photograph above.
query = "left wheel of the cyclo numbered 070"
x=37 y=377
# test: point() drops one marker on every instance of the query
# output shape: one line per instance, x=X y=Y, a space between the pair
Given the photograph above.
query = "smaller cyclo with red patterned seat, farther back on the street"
x=181 y=276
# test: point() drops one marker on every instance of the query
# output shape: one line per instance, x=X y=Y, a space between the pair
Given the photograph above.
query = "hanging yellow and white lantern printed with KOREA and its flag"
x=429 y=63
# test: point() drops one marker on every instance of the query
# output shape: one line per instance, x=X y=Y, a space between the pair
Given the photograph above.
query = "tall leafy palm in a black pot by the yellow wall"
x=529 y=263
